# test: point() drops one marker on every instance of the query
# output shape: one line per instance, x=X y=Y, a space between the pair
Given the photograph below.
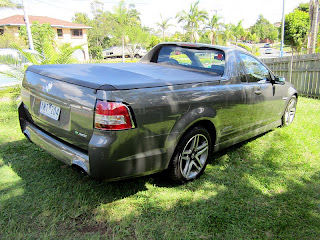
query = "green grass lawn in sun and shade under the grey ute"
x=265 y=188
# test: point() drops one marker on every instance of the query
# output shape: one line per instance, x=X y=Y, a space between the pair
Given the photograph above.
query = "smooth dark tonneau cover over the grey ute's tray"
x=121 y=76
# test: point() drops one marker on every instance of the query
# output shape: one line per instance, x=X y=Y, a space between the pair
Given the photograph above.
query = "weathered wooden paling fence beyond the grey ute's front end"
x=305 y=74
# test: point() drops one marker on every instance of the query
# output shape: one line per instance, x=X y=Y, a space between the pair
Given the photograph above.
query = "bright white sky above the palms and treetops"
x=231 y=11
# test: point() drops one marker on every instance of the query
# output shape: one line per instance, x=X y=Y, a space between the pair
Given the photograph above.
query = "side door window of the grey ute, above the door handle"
x=255 y=71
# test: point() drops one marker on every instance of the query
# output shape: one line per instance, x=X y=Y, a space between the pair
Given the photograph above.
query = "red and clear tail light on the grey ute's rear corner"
x=112 y=116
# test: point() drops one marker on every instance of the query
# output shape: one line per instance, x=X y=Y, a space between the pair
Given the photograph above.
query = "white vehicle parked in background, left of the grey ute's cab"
x=129 y=51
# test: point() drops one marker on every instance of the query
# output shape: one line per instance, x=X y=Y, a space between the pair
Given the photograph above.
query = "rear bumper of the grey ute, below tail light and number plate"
x=110 y=155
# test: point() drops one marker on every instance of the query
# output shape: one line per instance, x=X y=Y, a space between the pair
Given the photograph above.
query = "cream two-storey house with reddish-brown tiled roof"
x=66 y=32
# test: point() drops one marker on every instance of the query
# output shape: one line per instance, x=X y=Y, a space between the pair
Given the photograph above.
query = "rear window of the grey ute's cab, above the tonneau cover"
x=211 y=60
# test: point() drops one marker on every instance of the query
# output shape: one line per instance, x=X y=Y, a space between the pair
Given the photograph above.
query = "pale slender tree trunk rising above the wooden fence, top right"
x=313 y=12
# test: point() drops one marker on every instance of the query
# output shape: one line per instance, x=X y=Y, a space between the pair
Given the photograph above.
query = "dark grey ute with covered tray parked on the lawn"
x=171 y=111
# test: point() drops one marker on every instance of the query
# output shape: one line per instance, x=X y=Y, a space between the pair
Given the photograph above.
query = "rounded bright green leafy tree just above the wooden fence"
x=296 y=29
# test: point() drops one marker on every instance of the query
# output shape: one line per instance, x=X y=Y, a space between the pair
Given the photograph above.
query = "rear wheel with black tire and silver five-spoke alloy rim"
x=191 y=155
